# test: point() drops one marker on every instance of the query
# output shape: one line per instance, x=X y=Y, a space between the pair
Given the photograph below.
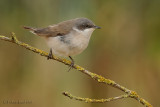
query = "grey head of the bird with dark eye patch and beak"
x=84 y=23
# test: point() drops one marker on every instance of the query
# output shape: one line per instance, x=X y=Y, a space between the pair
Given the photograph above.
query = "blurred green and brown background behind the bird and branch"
x=126 y=50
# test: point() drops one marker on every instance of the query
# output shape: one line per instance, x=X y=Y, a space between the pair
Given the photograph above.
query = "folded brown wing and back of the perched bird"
x=55 y=30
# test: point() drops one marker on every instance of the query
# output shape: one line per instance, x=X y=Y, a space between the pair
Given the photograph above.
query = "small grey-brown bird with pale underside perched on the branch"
x=67 y=38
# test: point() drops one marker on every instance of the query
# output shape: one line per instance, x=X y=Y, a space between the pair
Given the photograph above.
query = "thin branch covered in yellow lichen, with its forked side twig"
x=100 y=79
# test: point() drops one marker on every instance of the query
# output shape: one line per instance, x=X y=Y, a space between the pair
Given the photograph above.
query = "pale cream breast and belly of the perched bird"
x=72 y=44
